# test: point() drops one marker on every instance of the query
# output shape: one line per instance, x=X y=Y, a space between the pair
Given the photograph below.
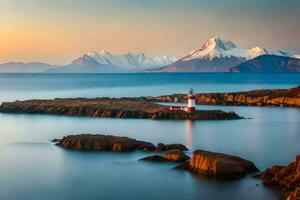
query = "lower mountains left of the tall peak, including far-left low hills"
x=94 y=62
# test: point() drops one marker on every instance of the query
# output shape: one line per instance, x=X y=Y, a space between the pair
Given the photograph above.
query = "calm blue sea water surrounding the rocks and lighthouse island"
x=33 y=168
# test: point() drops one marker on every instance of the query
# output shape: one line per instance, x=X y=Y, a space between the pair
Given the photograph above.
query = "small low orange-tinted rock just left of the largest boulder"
x=170 y=156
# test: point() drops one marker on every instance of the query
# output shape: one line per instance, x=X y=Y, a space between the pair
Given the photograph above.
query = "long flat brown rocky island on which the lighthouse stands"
x=110 y=107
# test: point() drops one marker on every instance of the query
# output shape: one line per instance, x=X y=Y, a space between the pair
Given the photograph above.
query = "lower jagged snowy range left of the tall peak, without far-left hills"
x=106 y=62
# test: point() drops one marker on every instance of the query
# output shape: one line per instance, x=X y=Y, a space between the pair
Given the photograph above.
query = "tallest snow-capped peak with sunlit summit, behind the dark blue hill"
x=217 y=55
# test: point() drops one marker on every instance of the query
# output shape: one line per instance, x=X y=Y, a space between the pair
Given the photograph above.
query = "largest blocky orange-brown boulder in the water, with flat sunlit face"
x=218 y=165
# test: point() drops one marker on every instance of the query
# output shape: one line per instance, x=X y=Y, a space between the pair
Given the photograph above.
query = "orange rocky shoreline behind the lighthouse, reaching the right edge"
x=277 y=97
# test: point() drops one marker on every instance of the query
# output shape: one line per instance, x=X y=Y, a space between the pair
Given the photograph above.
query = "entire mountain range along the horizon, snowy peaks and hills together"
x=214 y=55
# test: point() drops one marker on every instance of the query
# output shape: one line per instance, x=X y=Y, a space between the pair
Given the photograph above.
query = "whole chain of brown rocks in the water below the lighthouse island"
x=202 y=162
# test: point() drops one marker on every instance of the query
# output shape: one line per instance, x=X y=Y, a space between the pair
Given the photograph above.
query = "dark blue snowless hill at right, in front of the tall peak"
x=269 y=64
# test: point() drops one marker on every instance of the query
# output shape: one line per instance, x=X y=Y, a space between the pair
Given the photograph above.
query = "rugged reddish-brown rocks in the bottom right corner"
x=287 y=177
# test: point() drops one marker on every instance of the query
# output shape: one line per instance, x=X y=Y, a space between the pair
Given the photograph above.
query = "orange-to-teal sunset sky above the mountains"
x=57 y=31
